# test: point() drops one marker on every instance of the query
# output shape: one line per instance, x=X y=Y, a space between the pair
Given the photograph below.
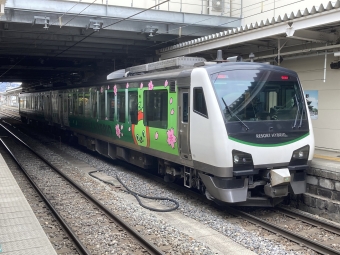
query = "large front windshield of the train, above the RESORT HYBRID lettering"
x=256 y=95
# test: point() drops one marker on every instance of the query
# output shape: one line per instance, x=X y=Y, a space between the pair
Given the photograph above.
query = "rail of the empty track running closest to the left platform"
x=79 y=245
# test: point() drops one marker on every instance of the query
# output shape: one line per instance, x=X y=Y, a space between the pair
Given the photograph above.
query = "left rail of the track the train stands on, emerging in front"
x=314 y=245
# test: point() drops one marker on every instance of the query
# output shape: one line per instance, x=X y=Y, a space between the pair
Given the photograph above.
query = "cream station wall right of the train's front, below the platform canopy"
x=311 y=73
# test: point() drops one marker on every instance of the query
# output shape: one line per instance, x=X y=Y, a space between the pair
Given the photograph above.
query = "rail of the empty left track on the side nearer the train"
x=150 y=247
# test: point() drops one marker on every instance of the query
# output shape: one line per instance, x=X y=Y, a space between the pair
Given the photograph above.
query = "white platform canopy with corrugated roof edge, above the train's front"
x=300 y=34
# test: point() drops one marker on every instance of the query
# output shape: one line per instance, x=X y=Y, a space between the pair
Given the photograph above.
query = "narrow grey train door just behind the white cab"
x=184 y=131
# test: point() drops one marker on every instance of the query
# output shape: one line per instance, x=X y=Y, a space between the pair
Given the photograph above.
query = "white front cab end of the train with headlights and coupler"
x=254 y=138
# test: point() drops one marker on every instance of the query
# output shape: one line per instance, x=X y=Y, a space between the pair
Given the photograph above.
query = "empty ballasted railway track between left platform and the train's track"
x=61 y=193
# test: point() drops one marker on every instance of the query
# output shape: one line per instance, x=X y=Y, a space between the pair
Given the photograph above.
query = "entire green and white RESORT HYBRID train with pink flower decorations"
x=238 y=132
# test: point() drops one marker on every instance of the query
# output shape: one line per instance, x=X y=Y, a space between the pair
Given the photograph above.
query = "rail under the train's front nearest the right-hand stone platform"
x=310 y=220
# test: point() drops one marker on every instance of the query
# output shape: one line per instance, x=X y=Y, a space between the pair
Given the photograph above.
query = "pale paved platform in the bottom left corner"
x=20 y=231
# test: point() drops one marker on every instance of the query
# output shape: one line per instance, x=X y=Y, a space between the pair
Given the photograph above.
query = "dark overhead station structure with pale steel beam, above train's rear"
x=55 y=43
